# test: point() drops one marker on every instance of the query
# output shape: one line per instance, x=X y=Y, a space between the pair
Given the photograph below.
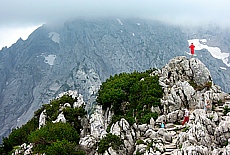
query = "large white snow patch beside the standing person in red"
x=215 y=51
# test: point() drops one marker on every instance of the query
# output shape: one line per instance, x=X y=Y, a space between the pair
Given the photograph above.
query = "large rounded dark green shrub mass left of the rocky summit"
x=139 y=92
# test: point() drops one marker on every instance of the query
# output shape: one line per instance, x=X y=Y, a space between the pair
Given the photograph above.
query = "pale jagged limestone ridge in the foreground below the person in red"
x=206 y=132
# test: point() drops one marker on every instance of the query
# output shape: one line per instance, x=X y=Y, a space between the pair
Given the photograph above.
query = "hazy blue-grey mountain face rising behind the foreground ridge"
x=79 y=56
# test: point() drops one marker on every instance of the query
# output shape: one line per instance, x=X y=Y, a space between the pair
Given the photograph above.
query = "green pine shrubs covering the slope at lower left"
x=53 y=138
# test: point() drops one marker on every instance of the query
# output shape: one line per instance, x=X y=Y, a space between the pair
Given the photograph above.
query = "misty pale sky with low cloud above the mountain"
x=18 y=18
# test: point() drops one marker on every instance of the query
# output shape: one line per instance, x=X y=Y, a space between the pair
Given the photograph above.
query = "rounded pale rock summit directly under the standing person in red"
x=184 y=69
